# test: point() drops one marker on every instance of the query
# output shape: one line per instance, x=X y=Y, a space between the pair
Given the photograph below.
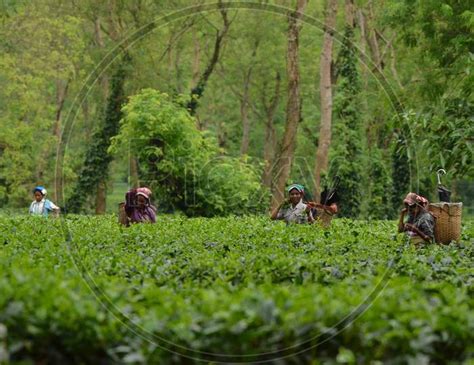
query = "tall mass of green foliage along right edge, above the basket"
x=435 y=39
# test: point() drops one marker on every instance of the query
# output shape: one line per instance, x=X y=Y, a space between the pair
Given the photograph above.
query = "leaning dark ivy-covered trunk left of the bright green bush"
x=96 y=165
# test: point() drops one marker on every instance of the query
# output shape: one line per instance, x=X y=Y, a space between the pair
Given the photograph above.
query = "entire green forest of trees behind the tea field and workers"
x=218 y=107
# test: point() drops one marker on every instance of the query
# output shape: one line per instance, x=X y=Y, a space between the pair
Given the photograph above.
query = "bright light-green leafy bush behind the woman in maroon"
x=181 y=164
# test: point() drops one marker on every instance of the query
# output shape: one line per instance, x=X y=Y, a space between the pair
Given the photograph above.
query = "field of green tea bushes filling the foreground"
x=83 y=290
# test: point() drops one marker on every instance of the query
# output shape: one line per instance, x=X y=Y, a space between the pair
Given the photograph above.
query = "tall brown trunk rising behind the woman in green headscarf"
x=293 y=107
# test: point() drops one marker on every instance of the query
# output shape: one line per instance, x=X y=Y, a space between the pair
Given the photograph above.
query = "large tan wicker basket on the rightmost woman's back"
x=448 y=221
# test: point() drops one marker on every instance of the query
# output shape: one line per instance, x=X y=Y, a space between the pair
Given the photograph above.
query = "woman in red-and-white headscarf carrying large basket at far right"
x=420 y=223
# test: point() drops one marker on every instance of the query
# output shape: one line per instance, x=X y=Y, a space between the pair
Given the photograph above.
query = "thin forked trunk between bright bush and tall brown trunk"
x=270 y=136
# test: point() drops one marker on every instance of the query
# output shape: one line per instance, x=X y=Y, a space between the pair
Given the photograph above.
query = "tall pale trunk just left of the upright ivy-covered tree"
x=326 y=97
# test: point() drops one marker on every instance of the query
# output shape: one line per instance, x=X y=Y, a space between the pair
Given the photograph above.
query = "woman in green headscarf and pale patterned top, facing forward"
x=293 y=209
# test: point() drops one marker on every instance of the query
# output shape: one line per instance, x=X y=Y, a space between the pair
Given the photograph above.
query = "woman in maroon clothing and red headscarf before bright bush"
x=138 y=206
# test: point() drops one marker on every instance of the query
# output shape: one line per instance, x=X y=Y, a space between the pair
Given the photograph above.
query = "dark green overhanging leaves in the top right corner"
x=439 y=33
